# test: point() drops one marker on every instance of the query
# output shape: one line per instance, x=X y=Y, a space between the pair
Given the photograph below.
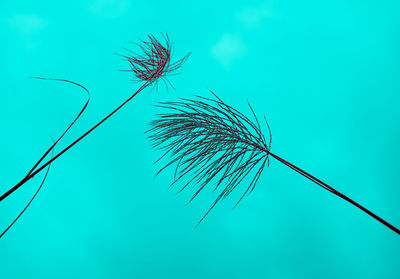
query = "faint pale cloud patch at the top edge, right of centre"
x=252 y=17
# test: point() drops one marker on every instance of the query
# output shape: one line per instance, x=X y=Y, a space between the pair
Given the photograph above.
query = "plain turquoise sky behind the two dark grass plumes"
x=326 y=75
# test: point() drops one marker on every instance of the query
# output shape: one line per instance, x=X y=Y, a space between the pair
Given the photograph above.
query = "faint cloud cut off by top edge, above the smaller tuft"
x=109 y=8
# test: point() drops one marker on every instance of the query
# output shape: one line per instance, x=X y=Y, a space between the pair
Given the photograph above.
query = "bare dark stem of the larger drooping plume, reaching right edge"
x=332 y=190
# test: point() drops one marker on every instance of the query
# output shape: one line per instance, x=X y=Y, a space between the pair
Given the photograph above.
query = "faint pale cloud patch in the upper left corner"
x=27 y=27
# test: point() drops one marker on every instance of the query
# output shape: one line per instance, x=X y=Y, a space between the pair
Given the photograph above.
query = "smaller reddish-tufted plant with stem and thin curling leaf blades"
x=153 y=65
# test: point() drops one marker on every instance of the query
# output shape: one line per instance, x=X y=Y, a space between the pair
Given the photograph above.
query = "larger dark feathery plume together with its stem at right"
x=213 y=143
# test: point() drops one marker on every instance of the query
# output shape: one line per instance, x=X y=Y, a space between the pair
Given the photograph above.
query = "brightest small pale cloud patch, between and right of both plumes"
x=228 y=49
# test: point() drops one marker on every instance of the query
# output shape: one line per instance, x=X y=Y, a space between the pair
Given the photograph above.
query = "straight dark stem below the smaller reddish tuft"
x=31 y=175
